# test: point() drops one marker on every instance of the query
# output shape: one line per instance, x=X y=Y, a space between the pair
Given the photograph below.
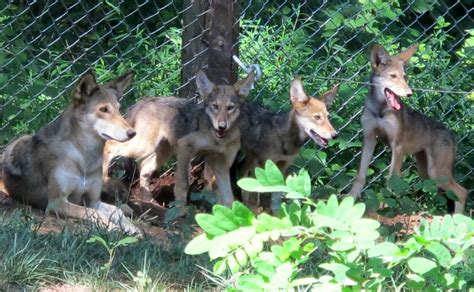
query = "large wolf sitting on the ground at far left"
x=59 y=168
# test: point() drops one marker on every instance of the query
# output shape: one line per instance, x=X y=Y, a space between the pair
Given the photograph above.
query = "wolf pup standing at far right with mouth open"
x=405 y=130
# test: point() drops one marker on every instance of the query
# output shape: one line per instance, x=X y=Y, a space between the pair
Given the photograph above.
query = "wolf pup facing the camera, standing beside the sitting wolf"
x=167 y=125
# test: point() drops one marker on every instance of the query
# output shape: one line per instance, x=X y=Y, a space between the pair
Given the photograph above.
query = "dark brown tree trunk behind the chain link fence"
x=210 y=38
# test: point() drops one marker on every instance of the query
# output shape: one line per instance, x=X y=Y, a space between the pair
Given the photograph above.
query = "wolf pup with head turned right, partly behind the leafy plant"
x=279 y=136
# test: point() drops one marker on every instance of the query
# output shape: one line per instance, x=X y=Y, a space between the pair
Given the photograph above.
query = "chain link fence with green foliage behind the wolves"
x=46 y=45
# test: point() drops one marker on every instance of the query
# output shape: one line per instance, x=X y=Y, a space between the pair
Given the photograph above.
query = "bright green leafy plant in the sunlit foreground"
x=264 y=252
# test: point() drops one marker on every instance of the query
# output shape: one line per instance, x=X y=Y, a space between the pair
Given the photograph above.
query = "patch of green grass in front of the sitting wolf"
x=32 y=259
